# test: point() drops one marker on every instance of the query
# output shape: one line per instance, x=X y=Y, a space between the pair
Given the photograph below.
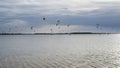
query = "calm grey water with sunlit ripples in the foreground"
x=60 y=51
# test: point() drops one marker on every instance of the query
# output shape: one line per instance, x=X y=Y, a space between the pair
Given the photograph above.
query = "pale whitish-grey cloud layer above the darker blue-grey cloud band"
x=61 y=7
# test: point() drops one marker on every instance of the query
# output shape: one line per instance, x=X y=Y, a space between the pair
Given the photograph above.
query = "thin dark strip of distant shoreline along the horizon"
x=52 y=33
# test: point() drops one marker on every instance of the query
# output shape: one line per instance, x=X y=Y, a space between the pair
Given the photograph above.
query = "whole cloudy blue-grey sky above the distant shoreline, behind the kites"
x=81 y=15
